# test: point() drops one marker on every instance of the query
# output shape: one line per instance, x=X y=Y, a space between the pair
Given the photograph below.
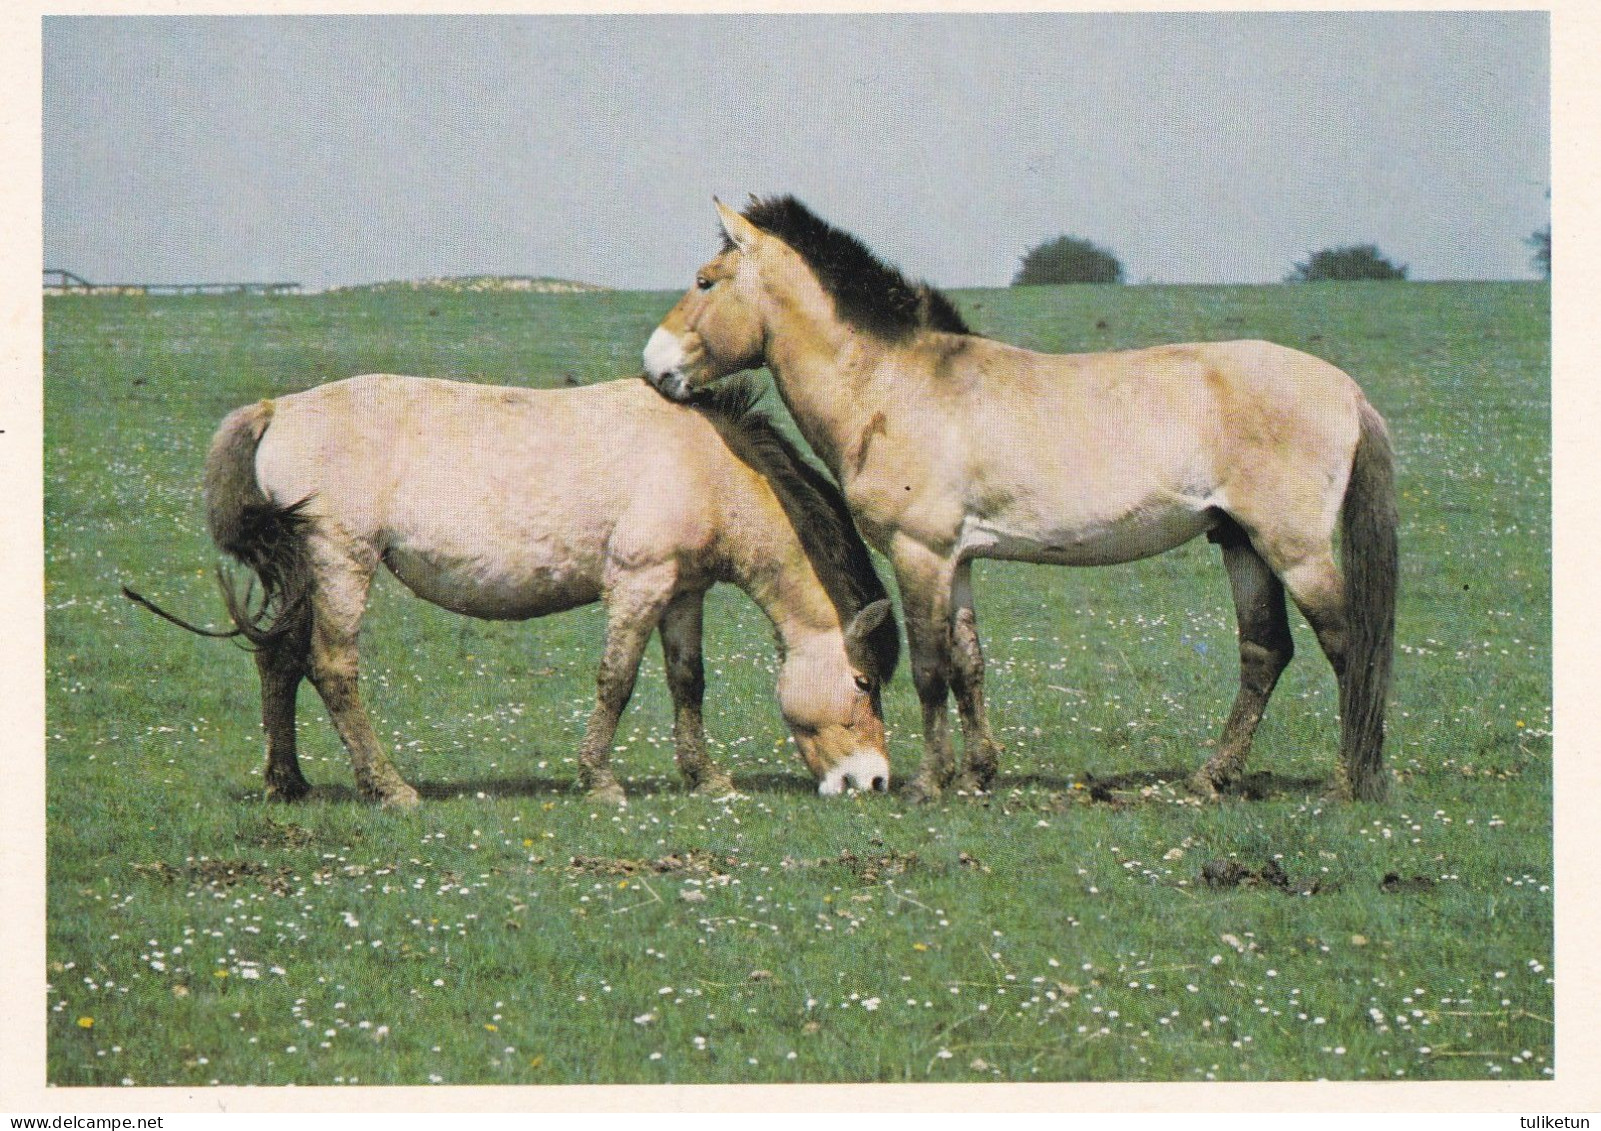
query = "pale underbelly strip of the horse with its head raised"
x=1102 y=542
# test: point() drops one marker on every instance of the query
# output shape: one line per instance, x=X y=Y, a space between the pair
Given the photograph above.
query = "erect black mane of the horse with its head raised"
x=867 y=292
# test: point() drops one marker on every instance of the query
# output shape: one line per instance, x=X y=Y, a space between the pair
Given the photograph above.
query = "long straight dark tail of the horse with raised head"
x=1371 y=565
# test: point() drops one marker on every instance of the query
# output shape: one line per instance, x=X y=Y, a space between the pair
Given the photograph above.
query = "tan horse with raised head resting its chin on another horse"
x=952 y=448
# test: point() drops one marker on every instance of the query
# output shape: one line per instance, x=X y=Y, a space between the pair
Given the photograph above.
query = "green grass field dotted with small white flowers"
x=510 y=932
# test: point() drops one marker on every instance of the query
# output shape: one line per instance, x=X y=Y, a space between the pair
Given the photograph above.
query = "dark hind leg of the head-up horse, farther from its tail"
x=1266 y=648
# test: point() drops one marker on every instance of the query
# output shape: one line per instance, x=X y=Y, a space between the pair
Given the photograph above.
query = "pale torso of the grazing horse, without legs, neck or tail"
x=497 y=502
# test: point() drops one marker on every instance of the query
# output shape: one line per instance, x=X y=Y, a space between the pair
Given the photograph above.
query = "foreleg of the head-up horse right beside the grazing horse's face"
x=926 y=600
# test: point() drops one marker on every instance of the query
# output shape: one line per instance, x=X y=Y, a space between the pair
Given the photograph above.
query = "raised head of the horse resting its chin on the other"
x=716 y=329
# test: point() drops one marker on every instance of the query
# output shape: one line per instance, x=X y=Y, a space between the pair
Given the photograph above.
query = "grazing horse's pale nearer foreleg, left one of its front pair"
x=635 y=605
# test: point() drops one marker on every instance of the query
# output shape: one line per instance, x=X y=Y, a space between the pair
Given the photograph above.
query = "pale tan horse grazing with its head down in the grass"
x=515 y=504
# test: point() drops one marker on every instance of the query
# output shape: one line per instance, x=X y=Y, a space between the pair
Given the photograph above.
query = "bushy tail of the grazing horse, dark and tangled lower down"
x=267 y=537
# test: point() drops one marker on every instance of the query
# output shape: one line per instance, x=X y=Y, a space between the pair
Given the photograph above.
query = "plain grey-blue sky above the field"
x=1198 y=148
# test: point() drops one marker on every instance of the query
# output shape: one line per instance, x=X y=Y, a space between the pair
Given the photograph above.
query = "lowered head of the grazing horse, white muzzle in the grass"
x=833 y=706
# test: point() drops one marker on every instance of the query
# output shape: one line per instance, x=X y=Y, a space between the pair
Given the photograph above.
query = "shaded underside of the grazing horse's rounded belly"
x=505 y=587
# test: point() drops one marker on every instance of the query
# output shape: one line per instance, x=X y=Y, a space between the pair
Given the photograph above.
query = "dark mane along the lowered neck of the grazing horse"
x=816 y=509
